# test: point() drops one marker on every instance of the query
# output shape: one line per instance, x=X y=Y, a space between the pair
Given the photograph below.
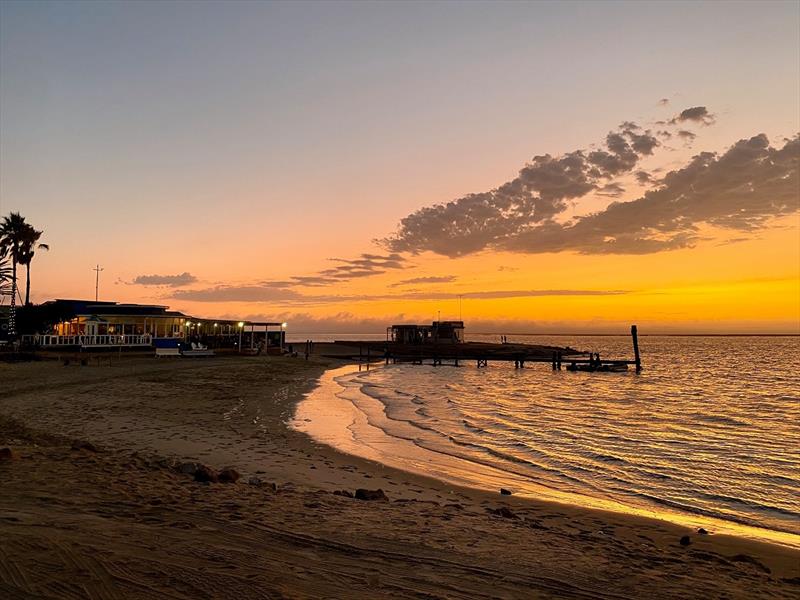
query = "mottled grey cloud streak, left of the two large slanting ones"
x=538 y=194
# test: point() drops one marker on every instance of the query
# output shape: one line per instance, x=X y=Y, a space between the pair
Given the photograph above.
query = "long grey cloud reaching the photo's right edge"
x=741 y=189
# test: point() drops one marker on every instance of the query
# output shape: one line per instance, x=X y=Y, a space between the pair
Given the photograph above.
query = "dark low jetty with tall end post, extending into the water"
x=482 y=353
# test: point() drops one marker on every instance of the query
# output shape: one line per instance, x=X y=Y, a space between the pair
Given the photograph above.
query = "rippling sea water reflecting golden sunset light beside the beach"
x=708 y=433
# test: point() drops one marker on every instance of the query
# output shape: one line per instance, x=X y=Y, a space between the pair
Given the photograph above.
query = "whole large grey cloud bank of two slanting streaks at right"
x=740 y=189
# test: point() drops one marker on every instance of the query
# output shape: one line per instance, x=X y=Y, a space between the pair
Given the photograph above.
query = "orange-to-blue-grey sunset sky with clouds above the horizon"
x=604 y=163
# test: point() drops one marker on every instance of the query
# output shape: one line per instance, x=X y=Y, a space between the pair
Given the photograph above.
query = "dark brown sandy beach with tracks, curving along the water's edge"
x=121 y=522
